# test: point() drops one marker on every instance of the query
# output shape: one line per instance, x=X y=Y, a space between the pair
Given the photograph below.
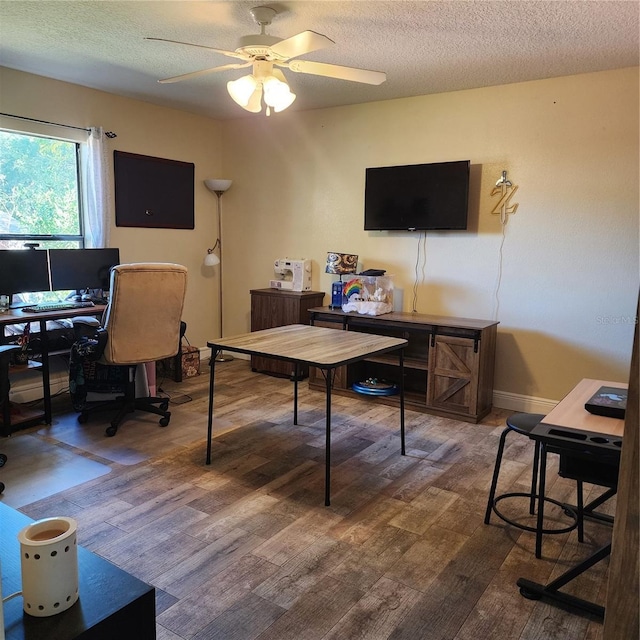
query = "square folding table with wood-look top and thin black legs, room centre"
x=304 y=345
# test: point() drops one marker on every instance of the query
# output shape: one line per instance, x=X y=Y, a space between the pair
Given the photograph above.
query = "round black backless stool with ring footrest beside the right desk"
x=523 y=424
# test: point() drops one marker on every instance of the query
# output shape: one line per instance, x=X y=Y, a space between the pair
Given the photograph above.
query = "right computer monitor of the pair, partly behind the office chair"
x=81 y=269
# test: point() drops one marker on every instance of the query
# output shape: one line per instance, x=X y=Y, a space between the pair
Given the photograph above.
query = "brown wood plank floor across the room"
x=245 y=549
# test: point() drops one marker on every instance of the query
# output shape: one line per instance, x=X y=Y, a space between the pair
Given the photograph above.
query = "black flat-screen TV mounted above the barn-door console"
x=417 y=197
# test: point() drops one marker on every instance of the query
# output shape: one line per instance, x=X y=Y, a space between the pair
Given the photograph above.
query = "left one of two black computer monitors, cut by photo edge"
x=23 y=271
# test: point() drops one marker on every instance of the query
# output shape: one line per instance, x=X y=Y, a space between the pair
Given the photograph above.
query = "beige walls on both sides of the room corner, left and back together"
x=569 y=276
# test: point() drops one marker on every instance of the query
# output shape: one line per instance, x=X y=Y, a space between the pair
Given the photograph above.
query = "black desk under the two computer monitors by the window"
x=17 y=316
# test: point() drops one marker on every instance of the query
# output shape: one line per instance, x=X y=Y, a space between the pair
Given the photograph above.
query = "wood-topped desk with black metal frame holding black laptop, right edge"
x=579 y=436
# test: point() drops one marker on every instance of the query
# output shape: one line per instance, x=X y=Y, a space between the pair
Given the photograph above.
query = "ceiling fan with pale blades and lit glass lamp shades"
x=263 y=52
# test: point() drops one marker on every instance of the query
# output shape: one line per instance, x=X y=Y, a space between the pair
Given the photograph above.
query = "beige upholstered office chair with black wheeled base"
x=141 y=324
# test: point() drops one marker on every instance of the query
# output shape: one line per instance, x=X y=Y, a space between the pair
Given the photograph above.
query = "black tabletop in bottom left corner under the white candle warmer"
x=112 y=603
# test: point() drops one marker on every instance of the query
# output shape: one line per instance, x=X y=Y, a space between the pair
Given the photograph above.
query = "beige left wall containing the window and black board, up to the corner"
x=149 y=130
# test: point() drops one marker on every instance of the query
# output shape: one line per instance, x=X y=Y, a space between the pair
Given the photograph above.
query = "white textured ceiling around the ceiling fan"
x=424 y=47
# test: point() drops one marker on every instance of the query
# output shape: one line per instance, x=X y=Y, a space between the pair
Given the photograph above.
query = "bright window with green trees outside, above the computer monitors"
x=39 y=192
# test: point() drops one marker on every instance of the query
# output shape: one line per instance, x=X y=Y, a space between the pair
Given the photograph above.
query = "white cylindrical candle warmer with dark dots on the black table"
x=49 y=563
